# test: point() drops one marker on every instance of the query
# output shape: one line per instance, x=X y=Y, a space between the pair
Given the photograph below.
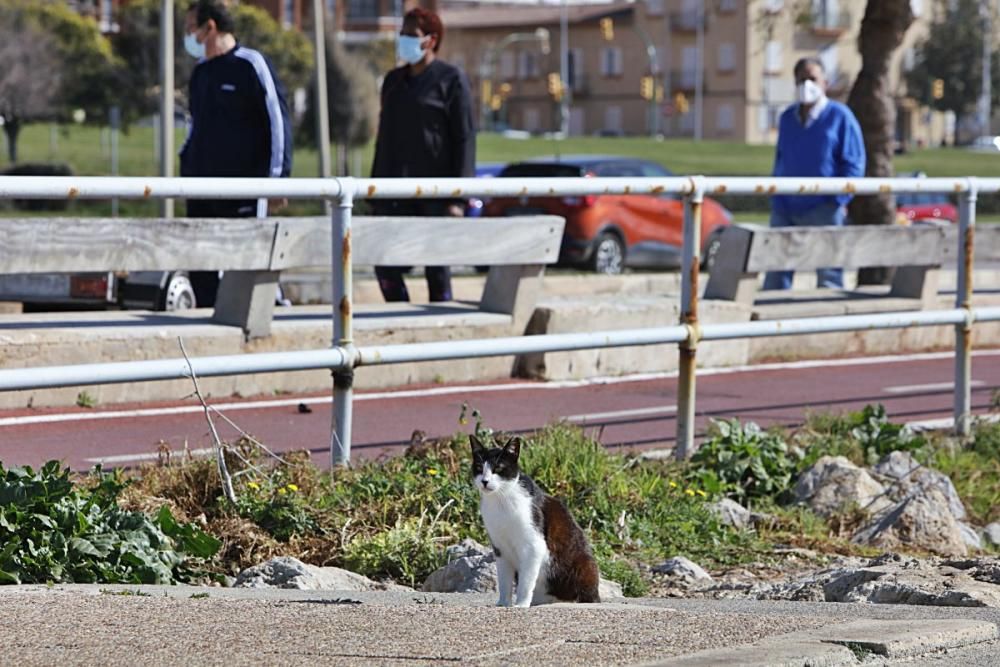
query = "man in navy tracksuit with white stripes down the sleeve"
x=239 y=121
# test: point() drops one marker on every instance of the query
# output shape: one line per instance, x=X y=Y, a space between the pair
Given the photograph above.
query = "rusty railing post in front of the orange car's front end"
x=687 y=350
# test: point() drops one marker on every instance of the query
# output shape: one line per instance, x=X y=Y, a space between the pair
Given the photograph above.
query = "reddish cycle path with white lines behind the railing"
x=633 y=412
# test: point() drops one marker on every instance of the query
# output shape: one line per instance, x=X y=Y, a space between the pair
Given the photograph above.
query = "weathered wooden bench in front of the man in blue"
x=916 y=252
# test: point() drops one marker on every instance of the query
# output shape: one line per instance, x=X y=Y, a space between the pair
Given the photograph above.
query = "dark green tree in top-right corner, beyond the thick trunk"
x=953 y=53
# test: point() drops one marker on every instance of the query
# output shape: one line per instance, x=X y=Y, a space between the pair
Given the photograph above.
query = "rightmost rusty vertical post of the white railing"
x=963 y=300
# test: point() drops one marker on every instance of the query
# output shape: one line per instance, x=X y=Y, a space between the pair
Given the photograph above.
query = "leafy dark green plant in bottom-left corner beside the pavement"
x=53 y=530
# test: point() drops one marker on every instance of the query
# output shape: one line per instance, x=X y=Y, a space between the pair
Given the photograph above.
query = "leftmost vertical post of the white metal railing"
x=343 y=327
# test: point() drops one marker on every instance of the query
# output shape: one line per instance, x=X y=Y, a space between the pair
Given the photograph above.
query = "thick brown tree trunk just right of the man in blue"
x=882 y=31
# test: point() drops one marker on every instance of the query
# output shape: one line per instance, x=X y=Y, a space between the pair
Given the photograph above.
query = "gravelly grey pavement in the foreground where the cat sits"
x=150 y=625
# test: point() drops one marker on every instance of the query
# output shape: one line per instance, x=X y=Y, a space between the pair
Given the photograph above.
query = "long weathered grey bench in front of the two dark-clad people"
x=253 y=253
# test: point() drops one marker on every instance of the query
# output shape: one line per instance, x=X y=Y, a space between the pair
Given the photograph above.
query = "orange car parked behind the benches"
x=606 y=233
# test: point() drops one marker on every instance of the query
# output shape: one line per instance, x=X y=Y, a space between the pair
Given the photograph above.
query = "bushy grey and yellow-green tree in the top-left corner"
x=69 y=63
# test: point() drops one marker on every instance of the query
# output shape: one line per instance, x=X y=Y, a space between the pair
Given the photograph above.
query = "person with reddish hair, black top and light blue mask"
x=425 y=129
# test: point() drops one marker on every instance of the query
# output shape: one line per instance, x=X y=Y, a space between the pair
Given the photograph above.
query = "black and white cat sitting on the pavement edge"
x=535 y=539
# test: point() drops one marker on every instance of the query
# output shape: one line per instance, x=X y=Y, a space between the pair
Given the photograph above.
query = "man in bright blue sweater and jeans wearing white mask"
x=817 y=136
